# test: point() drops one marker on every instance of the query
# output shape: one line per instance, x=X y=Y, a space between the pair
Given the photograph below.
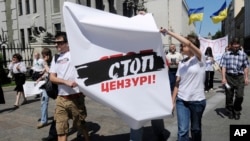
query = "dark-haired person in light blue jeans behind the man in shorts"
x=47 y=57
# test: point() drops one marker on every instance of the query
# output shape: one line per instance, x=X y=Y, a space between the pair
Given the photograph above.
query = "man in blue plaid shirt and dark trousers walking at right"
x=234 y=65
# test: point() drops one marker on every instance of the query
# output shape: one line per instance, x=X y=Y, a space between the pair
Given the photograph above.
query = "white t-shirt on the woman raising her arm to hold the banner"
x=192 y=77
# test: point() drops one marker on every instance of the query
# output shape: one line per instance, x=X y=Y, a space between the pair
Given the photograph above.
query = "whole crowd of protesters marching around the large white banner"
x=191 y=76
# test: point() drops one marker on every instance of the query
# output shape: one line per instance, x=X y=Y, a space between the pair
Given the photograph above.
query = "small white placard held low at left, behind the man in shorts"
x=32 y=88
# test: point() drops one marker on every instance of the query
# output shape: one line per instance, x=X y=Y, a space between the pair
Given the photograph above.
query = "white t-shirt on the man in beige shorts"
x=64 y=70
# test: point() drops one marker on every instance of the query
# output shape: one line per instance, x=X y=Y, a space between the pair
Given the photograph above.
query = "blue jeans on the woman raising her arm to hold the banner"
x=189 y=111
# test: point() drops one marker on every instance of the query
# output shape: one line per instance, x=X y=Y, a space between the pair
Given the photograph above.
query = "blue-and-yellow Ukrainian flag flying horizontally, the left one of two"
x=195 y=15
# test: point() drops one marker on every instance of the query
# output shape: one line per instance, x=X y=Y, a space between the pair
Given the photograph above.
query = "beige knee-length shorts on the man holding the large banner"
x=70 y=109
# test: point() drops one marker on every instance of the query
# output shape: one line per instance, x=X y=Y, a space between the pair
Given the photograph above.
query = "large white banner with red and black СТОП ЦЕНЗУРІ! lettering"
x=120 y=62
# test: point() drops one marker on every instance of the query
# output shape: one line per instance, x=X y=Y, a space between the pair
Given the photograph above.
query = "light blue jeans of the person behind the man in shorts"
x=44 y=106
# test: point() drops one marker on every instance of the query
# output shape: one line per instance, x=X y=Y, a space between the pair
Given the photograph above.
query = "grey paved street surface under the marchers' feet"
x=105 y=125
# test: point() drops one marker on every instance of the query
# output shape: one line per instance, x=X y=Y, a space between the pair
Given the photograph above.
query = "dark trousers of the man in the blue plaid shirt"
x=237 y=85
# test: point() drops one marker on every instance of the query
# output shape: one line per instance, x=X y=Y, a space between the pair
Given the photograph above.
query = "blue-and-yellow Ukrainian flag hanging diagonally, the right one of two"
x=220 y=15
